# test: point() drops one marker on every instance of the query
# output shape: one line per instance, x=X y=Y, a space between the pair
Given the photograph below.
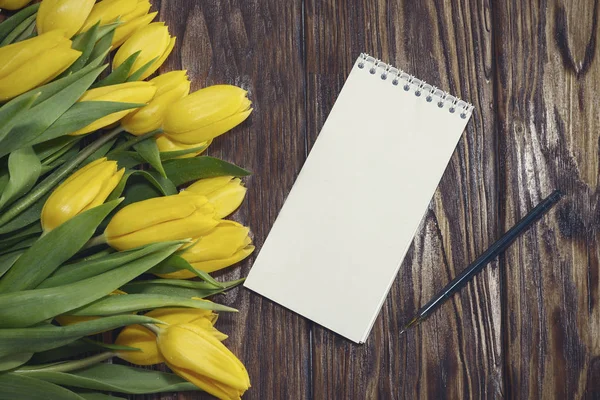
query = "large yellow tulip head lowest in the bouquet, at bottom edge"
x=193 y=353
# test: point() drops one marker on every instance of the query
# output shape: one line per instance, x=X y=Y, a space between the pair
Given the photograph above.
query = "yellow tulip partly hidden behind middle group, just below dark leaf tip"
x=225 y=193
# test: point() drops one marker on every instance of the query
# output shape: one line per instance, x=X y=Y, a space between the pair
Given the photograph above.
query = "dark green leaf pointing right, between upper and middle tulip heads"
x=185 y=170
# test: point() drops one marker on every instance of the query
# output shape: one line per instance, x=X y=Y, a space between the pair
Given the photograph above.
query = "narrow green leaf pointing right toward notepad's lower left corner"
x=175 y=287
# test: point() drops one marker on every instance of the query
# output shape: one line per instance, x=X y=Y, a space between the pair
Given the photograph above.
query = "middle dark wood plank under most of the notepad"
x=457 y=353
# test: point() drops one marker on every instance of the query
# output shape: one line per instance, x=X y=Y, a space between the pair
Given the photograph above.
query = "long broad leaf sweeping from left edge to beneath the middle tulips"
x=21 y=309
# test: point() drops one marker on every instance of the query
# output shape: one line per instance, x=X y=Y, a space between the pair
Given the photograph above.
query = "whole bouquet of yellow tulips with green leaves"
x=107 y=208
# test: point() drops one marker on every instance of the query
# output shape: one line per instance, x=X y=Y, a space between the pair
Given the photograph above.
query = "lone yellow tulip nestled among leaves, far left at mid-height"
x=85 y=189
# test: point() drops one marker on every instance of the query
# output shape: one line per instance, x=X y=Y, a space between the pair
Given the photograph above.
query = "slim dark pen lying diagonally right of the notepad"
x=476 y=266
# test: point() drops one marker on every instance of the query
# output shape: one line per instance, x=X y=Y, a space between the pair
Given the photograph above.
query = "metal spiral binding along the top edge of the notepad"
x=409 y=82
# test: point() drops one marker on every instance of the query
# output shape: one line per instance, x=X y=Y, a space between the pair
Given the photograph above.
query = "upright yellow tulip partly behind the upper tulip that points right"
x=170 y=87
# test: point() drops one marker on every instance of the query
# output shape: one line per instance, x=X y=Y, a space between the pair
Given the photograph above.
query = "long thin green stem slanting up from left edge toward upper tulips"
x=44 y=187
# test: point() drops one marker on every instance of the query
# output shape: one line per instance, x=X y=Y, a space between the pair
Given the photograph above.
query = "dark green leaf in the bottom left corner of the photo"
x=16 y=386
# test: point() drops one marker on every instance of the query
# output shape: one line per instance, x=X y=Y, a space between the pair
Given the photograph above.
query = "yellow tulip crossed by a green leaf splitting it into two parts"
x=130 y=92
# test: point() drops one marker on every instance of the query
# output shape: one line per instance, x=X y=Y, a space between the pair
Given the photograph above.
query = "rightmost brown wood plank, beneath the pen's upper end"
x=548 y=80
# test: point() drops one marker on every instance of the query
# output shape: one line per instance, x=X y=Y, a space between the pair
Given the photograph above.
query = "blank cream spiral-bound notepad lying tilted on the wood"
x=346 y=225
